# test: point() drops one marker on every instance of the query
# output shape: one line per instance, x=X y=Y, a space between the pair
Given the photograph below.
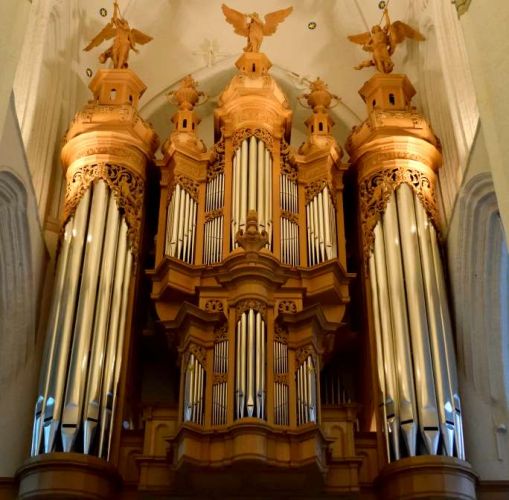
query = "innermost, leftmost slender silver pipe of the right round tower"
x=391 y=401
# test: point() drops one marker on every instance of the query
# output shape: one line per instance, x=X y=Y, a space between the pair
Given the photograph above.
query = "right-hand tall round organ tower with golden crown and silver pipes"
x=396 y=157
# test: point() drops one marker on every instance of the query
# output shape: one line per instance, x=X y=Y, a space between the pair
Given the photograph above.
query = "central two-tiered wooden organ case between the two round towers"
x=250 y=285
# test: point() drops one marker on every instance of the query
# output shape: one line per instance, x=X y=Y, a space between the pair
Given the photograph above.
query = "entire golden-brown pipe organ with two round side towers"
x=276 y=368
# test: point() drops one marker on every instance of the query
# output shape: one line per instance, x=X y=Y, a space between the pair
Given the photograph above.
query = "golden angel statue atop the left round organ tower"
x=125 y=40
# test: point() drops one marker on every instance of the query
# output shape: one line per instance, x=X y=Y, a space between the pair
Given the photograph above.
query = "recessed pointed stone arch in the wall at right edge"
x=480 y=276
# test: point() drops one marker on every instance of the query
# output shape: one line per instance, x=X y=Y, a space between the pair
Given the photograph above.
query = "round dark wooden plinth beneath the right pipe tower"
x=430 y=477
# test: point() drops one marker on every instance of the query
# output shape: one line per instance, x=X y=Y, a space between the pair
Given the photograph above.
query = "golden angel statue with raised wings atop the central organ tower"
x=252 y=27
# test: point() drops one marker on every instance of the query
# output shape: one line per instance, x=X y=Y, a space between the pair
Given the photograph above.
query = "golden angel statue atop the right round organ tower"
x=382 y=42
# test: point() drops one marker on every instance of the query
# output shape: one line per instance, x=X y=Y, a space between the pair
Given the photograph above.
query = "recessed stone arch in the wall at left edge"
x=17 y=294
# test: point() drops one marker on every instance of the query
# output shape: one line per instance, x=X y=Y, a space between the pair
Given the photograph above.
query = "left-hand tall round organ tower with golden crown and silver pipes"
x=106 y=153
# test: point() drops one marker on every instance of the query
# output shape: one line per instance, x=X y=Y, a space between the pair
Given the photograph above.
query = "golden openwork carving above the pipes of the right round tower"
x=374 y=194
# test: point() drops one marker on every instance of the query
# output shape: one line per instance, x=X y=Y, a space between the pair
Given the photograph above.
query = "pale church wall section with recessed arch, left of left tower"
x=23 y=260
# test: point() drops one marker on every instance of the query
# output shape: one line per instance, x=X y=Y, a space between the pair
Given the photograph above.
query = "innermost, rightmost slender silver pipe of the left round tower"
x=113 y=332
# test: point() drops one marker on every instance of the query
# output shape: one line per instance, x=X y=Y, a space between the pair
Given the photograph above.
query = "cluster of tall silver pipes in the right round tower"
x=406 y=258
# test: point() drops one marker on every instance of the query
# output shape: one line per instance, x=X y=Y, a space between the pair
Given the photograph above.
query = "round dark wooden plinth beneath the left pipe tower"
x=67 y=475
